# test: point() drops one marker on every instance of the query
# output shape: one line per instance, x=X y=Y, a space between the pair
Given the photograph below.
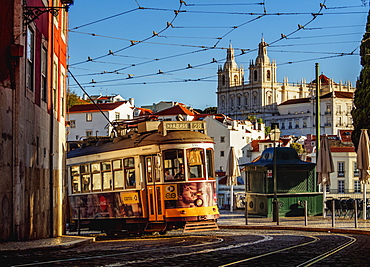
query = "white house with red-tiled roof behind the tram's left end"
x=88 y=120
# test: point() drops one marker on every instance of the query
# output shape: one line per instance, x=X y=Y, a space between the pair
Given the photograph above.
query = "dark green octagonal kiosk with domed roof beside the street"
x=293 y=182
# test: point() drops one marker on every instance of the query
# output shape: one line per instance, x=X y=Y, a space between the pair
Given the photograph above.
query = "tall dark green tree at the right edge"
x=361 y=111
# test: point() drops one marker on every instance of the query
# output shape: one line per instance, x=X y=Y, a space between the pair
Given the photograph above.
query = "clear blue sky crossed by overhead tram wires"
x=170 y=50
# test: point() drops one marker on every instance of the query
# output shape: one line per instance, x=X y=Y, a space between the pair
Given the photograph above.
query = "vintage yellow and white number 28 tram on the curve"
x=156 y=176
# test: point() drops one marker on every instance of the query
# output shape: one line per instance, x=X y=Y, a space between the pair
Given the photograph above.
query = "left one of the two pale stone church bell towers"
x=230 y=74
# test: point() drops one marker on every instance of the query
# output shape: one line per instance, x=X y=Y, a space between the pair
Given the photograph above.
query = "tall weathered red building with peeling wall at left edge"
x=33 y=70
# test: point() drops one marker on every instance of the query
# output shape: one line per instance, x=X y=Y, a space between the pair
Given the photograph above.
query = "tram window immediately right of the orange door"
x=174 y=165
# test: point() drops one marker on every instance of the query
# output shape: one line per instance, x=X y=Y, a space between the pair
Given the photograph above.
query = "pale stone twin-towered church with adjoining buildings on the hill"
x=291 y=105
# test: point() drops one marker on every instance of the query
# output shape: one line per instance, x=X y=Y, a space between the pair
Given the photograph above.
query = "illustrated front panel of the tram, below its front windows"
x=188 y=195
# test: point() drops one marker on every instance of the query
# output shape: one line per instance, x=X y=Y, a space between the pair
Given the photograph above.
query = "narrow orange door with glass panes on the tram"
x=155 y=201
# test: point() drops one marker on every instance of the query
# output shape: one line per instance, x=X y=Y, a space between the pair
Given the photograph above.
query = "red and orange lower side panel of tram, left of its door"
x=108 y=205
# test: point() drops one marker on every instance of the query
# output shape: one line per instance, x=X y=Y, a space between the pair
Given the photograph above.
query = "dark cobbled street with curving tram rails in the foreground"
x=228 y=248
